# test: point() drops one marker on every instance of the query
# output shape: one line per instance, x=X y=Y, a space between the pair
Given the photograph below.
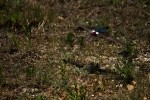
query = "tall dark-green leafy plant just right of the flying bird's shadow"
x=126 y=68
